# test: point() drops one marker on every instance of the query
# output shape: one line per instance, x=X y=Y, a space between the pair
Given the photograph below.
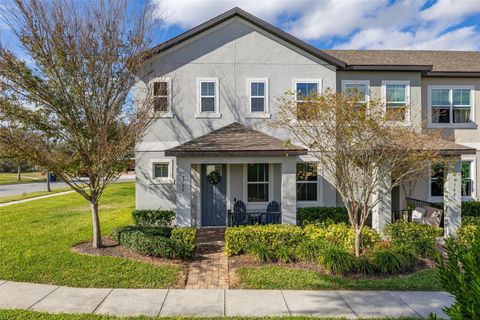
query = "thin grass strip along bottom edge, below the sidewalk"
x=28 y=315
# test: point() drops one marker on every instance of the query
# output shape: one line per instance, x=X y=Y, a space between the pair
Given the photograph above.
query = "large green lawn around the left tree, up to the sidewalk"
x=36 y=239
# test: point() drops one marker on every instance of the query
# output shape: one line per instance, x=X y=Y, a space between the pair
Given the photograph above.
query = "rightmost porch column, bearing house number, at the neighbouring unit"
x=452 y=199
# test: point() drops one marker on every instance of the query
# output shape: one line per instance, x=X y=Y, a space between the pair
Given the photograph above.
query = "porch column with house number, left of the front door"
x=184 y=192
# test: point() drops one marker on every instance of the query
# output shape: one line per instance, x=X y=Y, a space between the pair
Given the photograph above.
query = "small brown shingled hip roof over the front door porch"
x=235 y=139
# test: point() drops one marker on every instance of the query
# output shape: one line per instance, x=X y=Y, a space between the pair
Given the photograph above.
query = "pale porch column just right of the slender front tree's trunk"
x=382 y=211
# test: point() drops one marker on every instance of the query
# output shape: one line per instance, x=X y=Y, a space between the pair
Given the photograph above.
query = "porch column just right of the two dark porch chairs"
x=289 y=191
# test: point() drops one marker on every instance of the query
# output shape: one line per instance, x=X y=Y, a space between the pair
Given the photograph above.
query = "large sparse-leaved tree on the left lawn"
x=75 y=89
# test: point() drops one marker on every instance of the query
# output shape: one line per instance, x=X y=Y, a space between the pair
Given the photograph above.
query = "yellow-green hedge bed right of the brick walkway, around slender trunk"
x=331 y=246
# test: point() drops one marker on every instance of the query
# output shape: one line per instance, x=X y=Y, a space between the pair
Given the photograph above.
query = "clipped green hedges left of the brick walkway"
x=157 y=239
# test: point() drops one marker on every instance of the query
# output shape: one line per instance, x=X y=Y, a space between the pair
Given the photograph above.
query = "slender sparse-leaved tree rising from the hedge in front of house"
x=357 y=148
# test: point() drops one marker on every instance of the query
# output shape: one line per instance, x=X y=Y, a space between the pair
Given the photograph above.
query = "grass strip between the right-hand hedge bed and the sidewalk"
x=274 y=277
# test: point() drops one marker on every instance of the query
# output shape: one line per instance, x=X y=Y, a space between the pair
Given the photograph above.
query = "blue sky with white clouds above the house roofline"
x=341 y=24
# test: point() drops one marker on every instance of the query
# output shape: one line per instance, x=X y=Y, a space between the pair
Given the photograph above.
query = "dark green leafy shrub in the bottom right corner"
x=460 y=277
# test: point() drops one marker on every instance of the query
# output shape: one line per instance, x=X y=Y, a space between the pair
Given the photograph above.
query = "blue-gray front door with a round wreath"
x=214 y=200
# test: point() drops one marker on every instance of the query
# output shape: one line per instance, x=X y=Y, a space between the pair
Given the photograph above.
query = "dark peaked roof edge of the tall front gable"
x=237 y=12
